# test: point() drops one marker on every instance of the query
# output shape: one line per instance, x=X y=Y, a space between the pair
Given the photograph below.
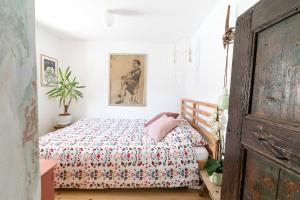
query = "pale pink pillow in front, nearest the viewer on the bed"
x=161 y=127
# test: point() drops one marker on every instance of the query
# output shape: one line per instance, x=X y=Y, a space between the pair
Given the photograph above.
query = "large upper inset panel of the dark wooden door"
x=277 y=71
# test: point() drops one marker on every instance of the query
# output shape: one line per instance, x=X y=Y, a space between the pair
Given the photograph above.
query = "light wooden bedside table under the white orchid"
x=214 y=190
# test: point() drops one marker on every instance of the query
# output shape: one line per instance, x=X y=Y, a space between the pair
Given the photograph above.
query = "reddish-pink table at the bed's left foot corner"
x=47 y=179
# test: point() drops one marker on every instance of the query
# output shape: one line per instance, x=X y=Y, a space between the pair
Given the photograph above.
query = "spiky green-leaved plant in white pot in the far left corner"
x=67 y=90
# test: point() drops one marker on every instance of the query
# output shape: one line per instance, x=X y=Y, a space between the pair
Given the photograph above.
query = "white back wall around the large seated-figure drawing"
x=90 y=62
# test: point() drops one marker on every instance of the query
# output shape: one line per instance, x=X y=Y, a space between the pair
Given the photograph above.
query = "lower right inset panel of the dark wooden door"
x=289 y=186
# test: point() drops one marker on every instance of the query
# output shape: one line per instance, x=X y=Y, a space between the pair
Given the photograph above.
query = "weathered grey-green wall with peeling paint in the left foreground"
x=19 y=164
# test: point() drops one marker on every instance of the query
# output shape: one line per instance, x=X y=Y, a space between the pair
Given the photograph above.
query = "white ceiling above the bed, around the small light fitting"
x=152 y=21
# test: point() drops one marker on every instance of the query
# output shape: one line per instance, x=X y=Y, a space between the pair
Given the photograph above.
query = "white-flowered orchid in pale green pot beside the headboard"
x=214 y=167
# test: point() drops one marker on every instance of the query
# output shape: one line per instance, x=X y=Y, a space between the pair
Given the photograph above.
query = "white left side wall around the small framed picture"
x=49 y=45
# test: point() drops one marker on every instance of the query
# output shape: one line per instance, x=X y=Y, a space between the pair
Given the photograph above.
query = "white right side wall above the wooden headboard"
x=209 y=54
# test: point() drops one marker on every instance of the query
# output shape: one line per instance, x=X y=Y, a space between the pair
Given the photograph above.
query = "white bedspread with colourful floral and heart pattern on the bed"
x=116 y=153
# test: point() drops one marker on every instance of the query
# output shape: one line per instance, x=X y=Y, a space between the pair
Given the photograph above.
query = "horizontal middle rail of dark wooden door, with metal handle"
x=275 y=141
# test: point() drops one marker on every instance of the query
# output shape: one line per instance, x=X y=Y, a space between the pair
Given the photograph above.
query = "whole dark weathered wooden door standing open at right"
x=262 y=159
